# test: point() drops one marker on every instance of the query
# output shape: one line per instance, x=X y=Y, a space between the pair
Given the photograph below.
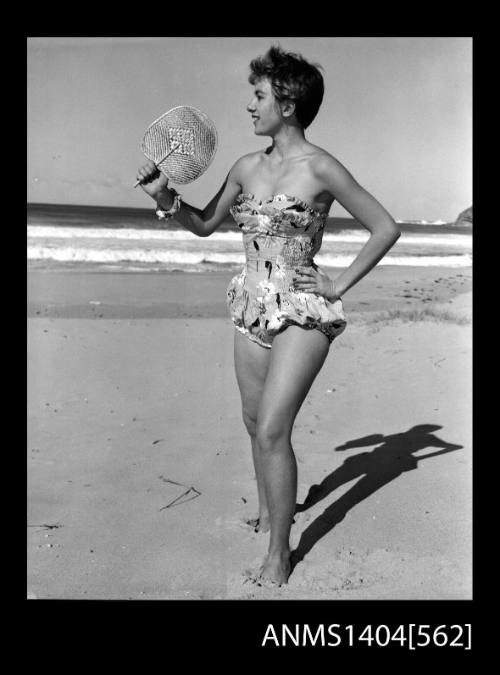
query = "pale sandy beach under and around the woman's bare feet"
x=140 y=476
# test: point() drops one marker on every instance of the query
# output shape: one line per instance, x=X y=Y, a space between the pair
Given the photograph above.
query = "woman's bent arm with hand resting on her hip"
x=384 y=231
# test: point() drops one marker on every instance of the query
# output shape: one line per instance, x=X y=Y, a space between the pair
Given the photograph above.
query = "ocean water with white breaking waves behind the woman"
x=117 y=239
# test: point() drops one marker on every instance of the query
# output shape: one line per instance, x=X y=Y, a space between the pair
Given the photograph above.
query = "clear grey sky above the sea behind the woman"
x=397 y=113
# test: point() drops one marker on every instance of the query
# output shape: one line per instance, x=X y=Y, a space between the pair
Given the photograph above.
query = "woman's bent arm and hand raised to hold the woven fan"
x=200 y=222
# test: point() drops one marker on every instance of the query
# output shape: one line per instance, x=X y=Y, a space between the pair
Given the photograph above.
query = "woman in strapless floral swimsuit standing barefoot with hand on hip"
x=285 y=309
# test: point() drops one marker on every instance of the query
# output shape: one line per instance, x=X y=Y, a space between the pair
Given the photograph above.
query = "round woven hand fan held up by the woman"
x=182 y=143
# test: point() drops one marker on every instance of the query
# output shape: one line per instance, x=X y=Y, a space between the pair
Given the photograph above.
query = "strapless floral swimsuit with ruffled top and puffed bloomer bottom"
x=279 y=234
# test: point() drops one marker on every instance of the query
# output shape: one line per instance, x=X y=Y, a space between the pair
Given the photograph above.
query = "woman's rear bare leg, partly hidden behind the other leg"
x=251 y=362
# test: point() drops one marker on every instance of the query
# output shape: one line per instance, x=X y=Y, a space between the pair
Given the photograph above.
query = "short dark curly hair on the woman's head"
x=292 y=78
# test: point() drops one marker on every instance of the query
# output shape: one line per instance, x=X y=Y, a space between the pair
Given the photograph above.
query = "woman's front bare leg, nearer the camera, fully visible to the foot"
x=297 y=356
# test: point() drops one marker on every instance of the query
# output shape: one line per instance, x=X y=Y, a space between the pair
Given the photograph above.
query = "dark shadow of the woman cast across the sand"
x=394 y=456
